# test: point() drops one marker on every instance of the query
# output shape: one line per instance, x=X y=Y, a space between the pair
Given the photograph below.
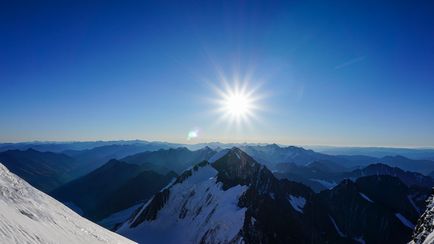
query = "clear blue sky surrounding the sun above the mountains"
x=327 y=72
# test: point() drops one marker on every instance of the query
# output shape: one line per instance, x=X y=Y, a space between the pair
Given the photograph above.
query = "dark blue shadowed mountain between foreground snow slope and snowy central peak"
x=111 y=188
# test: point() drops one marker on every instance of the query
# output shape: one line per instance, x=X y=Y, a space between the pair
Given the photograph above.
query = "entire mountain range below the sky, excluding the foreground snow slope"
x=252 y=194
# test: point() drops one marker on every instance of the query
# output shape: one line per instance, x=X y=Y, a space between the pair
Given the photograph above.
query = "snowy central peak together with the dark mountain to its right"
x=233 y=198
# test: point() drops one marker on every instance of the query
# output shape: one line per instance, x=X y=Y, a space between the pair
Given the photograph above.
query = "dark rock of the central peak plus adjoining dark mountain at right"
x=363 y=210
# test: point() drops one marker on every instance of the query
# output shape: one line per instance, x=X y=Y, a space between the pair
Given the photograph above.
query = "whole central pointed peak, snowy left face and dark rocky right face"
x=233 y=199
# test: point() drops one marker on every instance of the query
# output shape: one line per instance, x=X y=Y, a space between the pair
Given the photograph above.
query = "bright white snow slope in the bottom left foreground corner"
x=28 y=215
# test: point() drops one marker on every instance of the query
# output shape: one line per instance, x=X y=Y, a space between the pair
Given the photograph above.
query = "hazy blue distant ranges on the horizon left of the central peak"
x=48 y=170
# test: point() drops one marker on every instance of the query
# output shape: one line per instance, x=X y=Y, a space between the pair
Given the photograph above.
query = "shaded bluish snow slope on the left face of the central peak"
x=197 y=210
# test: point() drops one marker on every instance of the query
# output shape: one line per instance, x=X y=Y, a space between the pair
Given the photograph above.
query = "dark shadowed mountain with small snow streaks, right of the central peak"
x=368 y=209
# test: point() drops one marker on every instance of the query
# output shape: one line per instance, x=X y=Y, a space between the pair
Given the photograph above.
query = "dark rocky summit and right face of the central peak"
x=270 y=217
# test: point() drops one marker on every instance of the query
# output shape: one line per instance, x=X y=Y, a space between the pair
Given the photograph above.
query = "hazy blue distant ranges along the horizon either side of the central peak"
x=49 y=170
